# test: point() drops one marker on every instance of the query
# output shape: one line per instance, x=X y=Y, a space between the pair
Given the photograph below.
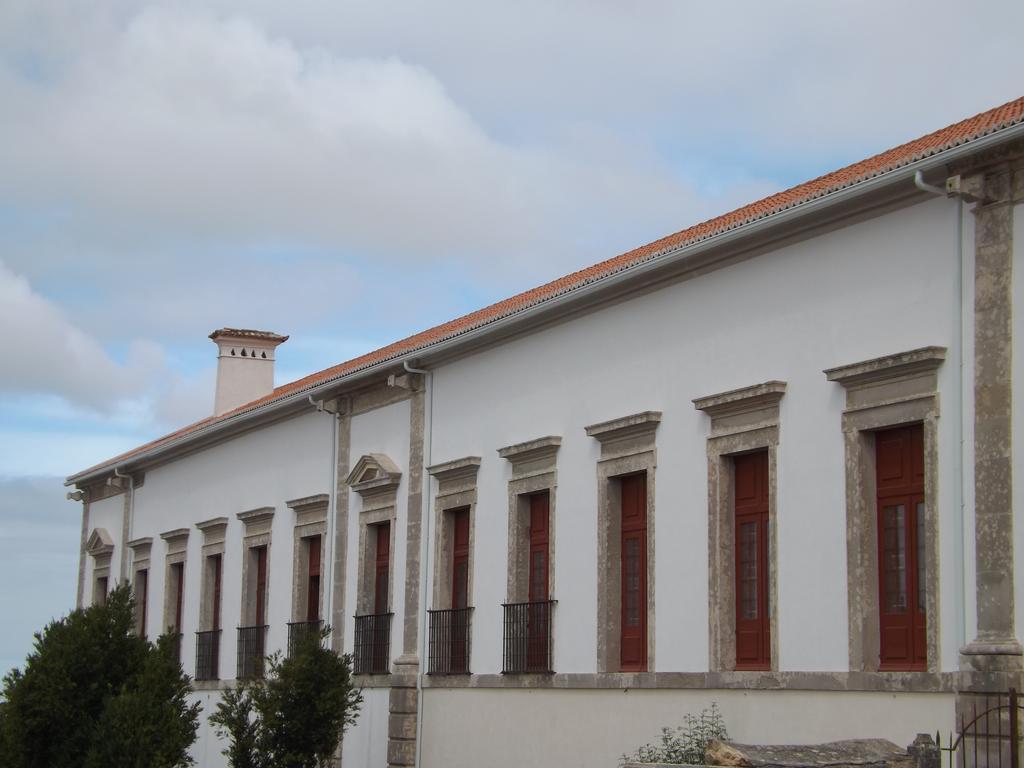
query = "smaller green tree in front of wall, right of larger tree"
x=295 y=717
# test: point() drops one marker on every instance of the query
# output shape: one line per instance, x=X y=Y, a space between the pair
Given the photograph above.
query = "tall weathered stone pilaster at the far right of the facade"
x=996 y=189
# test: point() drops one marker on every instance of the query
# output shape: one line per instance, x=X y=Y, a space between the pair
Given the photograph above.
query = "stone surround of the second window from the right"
x=742 y=421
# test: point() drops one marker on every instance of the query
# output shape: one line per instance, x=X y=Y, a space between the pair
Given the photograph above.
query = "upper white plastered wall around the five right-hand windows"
x=880 y=287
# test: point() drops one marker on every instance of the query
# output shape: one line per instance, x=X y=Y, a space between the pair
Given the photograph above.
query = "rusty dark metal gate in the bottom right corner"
x=989 y=737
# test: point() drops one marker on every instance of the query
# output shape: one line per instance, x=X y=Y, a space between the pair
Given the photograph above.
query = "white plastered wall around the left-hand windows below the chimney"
x=287 y=460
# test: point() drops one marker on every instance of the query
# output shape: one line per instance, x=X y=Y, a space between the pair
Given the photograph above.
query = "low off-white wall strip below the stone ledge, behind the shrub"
x=588 y=729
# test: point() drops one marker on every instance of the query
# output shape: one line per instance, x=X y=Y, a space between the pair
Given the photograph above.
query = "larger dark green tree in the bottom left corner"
x=95 y=694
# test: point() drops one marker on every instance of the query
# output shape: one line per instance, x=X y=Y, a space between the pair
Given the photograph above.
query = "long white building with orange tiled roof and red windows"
x=765 y=462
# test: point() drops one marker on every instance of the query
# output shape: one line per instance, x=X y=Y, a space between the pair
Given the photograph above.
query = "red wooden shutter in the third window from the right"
x=633 y=646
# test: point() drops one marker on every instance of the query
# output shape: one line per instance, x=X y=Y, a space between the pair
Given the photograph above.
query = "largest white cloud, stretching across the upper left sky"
x=212 y=129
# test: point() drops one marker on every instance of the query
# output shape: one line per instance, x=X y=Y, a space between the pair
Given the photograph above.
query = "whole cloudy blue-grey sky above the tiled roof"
x=352 y=173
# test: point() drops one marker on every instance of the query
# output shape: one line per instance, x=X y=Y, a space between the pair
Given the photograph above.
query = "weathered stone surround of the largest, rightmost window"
x=884 y=393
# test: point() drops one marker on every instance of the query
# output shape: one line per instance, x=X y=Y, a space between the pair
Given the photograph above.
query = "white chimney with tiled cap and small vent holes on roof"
x=245 y=366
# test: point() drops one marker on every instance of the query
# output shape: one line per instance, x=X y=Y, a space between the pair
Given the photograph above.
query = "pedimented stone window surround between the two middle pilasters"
x=376 y=480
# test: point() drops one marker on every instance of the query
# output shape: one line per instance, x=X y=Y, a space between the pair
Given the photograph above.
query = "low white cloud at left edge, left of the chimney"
x=56 y=373
